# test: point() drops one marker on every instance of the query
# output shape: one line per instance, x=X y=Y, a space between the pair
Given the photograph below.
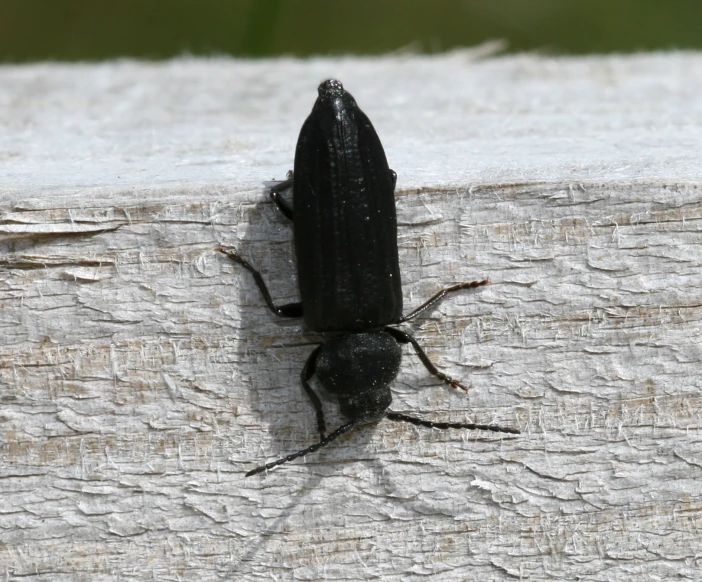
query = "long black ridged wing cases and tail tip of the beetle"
x=344 y=220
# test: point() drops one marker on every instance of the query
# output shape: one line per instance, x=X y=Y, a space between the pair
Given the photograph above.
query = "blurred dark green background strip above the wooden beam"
x=100 y=29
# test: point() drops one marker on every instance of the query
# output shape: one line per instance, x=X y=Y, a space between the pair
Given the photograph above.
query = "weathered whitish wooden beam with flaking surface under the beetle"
x=141 y=375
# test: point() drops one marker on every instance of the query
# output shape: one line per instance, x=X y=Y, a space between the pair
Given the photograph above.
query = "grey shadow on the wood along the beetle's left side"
x=271 y=349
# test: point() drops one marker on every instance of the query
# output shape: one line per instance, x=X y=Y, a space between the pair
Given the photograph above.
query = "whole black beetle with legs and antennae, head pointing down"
x=345 y=233
